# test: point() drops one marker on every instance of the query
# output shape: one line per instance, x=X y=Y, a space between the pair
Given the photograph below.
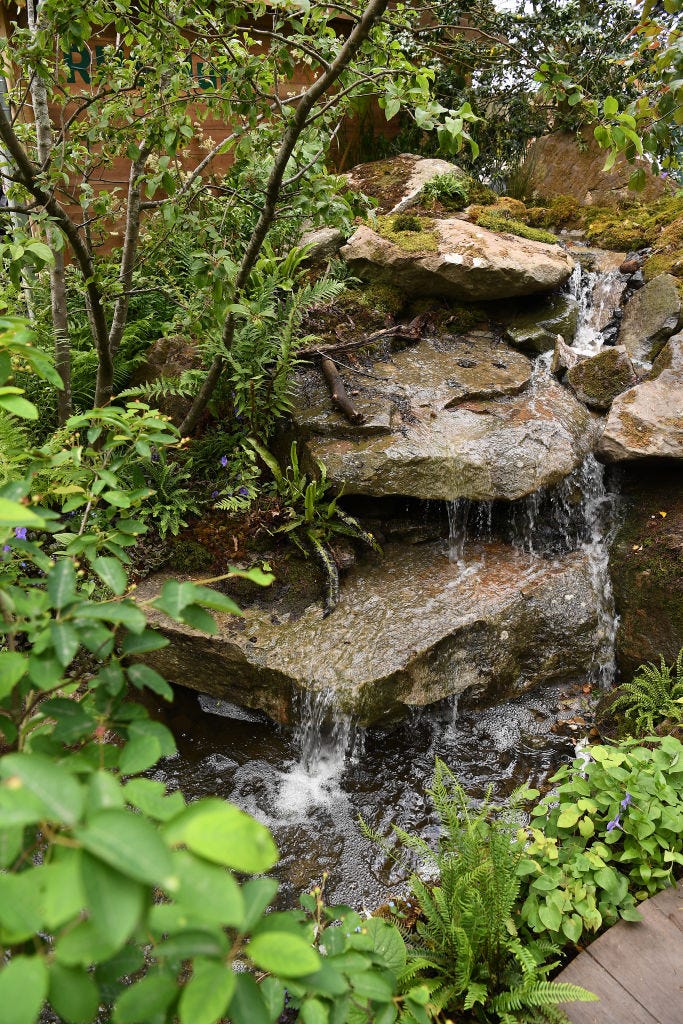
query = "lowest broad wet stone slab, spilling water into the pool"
x=410 y=629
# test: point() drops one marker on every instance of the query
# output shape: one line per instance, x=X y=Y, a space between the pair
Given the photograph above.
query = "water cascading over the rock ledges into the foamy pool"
x=311 y=785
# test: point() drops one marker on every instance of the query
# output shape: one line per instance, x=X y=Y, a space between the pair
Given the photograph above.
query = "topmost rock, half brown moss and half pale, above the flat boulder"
x=397 y=183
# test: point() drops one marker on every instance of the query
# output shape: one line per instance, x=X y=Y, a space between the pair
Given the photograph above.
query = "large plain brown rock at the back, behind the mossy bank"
x=560 y=166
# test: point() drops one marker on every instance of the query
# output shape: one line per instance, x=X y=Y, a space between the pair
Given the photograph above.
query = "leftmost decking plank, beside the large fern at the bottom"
x=616 y=1006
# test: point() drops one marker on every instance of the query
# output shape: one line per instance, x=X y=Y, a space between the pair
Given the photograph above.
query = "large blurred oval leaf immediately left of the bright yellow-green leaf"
x=129 y=843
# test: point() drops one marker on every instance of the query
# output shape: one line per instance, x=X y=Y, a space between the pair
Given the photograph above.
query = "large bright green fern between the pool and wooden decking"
x=467 y=951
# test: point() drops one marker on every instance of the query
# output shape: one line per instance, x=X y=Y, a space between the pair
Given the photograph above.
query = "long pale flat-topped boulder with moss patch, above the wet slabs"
x=457 y=261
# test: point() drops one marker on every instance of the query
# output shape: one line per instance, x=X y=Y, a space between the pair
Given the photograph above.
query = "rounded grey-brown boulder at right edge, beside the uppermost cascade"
x=651 y=317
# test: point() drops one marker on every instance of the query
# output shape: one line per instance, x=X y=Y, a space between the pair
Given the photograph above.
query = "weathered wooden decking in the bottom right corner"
x=636 y=969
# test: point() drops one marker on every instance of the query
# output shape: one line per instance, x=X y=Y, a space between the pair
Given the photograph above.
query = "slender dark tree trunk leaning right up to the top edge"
x=371 y=16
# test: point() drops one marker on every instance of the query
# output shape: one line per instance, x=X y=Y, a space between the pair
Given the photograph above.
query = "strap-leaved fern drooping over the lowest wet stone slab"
x=312 y=519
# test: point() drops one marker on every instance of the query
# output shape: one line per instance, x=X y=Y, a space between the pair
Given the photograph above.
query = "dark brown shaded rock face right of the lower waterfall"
x=647 y=566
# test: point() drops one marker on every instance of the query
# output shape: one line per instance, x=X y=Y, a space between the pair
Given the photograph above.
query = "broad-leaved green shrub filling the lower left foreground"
x=116 y=895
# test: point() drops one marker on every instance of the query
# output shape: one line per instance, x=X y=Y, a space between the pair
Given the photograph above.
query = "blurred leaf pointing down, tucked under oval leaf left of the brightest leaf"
x=115 y=903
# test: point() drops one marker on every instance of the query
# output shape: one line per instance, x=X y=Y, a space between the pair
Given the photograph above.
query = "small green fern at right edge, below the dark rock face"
x=654 y=697
